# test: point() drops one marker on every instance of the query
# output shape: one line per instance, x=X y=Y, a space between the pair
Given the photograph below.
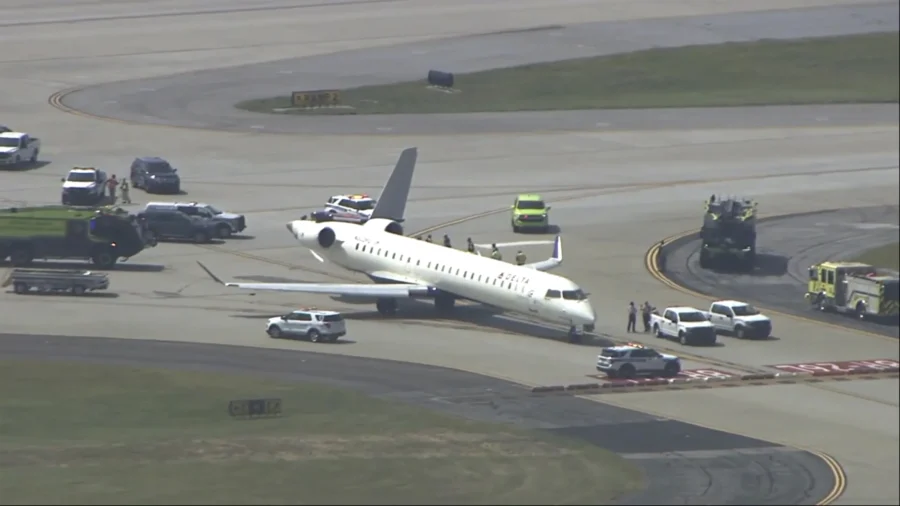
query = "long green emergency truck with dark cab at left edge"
x=101 y=235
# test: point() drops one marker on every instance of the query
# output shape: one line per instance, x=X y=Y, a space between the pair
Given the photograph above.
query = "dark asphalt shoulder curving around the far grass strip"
x=206 y=99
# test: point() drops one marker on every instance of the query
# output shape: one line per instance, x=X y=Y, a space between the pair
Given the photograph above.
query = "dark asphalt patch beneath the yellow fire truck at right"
x=787 y=247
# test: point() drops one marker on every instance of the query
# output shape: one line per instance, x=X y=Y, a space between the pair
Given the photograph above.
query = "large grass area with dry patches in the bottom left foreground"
x=97 y=434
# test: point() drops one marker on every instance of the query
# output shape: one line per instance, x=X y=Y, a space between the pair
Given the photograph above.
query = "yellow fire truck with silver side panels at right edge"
x=855 y=288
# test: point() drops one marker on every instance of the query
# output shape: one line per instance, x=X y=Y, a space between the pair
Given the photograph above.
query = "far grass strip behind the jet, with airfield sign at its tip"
x=858 y=68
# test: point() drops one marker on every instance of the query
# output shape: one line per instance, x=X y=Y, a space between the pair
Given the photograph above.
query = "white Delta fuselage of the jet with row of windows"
x=395 y=258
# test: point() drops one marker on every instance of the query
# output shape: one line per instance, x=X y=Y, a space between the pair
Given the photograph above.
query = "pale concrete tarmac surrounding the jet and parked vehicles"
x=615 y=192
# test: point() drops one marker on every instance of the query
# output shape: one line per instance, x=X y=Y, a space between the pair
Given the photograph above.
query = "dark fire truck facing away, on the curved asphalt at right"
x=729 y=233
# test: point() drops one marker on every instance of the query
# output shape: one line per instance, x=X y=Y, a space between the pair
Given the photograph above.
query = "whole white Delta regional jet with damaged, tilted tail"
x=403 y=267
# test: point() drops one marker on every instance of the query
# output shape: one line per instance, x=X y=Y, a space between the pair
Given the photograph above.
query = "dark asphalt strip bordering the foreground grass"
x=684 y=463
